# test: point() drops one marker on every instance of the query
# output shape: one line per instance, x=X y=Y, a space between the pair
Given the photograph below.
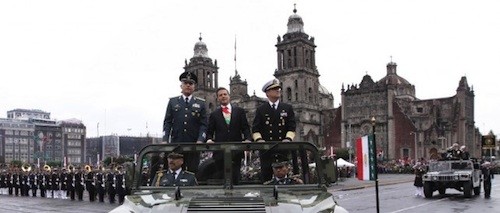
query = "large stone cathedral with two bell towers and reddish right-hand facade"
x=406 y=127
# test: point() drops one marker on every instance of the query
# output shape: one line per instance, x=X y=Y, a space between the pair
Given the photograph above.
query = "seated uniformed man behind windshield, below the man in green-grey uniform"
x=174 y=175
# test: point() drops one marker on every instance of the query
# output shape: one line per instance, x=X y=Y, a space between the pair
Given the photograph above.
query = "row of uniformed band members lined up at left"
x=64 y=183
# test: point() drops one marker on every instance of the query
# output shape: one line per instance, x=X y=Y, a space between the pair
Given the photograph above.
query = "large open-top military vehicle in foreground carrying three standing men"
x=238 y=185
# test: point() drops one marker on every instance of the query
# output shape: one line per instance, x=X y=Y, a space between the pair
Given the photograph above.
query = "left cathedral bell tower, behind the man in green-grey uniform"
x=207 y=72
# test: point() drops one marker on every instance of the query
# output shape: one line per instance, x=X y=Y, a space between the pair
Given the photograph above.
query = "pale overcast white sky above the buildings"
x=117 y=62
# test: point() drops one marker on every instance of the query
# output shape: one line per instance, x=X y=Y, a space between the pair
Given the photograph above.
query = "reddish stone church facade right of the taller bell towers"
x=406 y=126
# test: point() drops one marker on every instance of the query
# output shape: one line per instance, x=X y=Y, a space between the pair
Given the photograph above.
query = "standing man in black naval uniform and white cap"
x=274 y=121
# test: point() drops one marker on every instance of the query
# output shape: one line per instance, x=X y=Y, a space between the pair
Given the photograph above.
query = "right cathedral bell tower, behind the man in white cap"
x=299 y=78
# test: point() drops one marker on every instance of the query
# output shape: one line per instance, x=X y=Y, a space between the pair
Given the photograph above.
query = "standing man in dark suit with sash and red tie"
x=228 y=123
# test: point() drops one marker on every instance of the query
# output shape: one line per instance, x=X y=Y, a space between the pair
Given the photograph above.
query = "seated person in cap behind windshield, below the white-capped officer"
x=281 y=176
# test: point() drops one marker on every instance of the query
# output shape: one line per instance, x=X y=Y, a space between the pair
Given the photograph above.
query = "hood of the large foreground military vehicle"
x=289 y=199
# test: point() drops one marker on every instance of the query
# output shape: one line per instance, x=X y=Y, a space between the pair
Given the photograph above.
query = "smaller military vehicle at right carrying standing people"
x=459 y=174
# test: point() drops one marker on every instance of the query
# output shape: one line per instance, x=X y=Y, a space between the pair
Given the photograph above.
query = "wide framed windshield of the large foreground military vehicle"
x=229 y=164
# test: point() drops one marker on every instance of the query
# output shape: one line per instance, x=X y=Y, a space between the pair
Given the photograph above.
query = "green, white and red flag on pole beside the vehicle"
x=366 y=158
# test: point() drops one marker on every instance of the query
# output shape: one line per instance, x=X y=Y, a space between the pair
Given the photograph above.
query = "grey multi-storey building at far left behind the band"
x=31 y=136
